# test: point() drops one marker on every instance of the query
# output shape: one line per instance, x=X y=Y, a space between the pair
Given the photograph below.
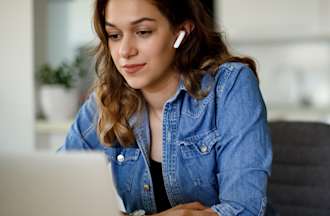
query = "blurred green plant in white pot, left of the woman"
x=59 y=95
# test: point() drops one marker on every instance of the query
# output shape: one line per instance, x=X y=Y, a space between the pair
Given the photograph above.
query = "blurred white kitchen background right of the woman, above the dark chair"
x=290 y=40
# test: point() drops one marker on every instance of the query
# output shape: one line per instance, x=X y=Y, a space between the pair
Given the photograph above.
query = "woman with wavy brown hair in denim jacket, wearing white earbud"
x=181 y=120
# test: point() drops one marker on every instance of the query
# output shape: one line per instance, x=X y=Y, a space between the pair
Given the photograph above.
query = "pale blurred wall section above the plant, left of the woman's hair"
x=69 y=27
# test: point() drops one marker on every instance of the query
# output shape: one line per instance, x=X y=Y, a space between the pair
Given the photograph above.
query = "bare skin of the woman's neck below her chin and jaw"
x=157 y=97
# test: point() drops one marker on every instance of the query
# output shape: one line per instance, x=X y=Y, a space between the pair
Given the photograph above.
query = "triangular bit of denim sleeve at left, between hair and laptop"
x=82 y=134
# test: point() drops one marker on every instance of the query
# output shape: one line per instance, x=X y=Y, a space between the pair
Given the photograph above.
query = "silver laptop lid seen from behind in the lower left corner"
x=46 y=184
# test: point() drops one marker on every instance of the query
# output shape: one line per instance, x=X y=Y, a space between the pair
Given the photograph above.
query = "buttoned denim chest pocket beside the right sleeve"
x=198 y=155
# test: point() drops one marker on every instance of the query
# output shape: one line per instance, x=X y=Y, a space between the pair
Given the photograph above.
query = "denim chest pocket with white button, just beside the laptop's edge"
x=123 y=164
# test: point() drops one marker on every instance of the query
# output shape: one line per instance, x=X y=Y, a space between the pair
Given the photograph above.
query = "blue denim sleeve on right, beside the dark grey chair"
x=244 y=153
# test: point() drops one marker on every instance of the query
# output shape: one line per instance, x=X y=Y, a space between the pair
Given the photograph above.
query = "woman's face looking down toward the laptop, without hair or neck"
x=141 y=42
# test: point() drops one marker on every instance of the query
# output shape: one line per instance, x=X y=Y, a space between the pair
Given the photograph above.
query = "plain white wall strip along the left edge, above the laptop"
x=16 y=71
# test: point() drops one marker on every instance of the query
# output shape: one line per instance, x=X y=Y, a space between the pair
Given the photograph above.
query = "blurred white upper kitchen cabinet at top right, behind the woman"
x=270 y=18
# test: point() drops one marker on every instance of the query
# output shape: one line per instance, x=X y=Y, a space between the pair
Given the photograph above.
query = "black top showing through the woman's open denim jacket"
x=162 y=202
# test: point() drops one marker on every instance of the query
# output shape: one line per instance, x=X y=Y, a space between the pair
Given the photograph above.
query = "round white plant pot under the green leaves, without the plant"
x=58 y=103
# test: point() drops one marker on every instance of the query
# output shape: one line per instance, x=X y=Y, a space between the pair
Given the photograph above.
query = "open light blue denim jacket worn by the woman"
x=216 y=150
